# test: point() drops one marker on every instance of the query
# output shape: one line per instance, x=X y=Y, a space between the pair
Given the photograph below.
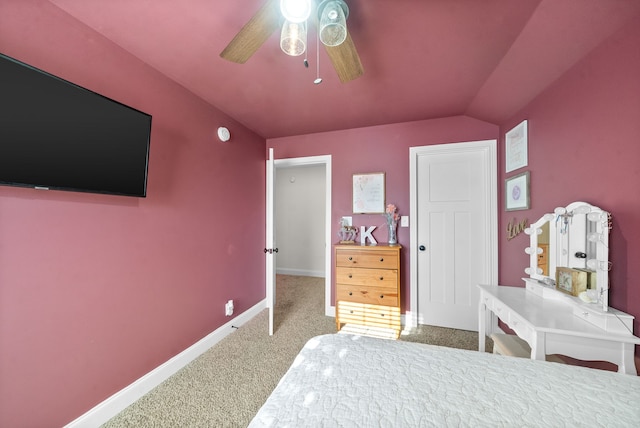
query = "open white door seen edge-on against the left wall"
x=270 y=250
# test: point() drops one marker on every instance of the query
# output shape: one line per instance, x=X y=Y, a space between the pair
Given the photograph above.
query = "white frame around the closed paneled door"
x=490 y=146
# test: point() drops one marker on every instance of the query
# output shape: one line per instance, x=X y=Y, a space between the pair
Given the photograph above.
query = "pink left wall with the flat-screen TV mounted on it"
x=96 y=290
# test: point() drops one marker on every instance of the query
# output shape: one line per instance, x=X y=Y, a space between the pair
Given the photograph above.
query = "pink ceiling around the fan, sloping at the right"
x=422 y=58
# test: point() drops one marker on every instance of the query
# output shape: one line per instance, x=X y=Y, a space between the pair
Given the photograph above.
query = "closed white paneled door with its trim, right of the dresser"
x=454 y=245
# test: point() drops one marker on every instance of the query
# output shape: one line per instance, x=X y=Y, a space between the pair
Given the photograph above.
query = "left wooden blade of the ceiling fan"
x=254 y=33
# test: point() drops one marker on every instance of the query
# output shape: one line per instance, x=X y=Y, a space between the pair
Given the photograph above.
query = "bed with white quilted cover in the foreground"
x=354 y=381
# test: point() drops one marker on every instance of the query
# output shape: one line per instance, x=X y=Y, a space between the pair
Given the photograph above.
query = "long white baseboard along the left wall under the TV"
x=122 y=399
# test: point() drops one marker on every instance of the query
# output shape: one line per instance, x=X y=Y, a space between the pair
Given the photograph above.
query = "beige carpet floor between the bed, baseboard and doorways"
x=226 y=385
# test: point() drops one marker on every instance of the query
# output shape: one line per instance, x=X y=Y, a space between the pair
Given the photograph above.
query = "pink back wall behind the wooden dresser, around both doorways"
x=379 y=149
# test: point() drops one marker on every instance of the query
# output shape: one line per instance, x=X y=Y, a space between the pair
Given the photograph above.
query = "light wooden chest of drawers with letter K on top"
x=368 y=286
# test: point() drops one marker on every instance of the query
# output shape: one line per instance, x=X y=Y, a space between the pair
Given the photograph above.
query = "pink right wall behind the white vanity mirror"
x=584 y=145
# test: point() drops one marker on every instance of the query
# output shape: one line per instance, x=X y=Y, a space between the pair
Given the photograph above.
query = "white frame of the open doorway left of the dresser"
x=326 y=161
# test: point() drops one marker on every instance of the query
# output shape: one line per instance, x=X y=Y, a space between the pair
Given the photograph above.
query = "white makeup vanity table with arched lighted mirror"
x=553 y=321
